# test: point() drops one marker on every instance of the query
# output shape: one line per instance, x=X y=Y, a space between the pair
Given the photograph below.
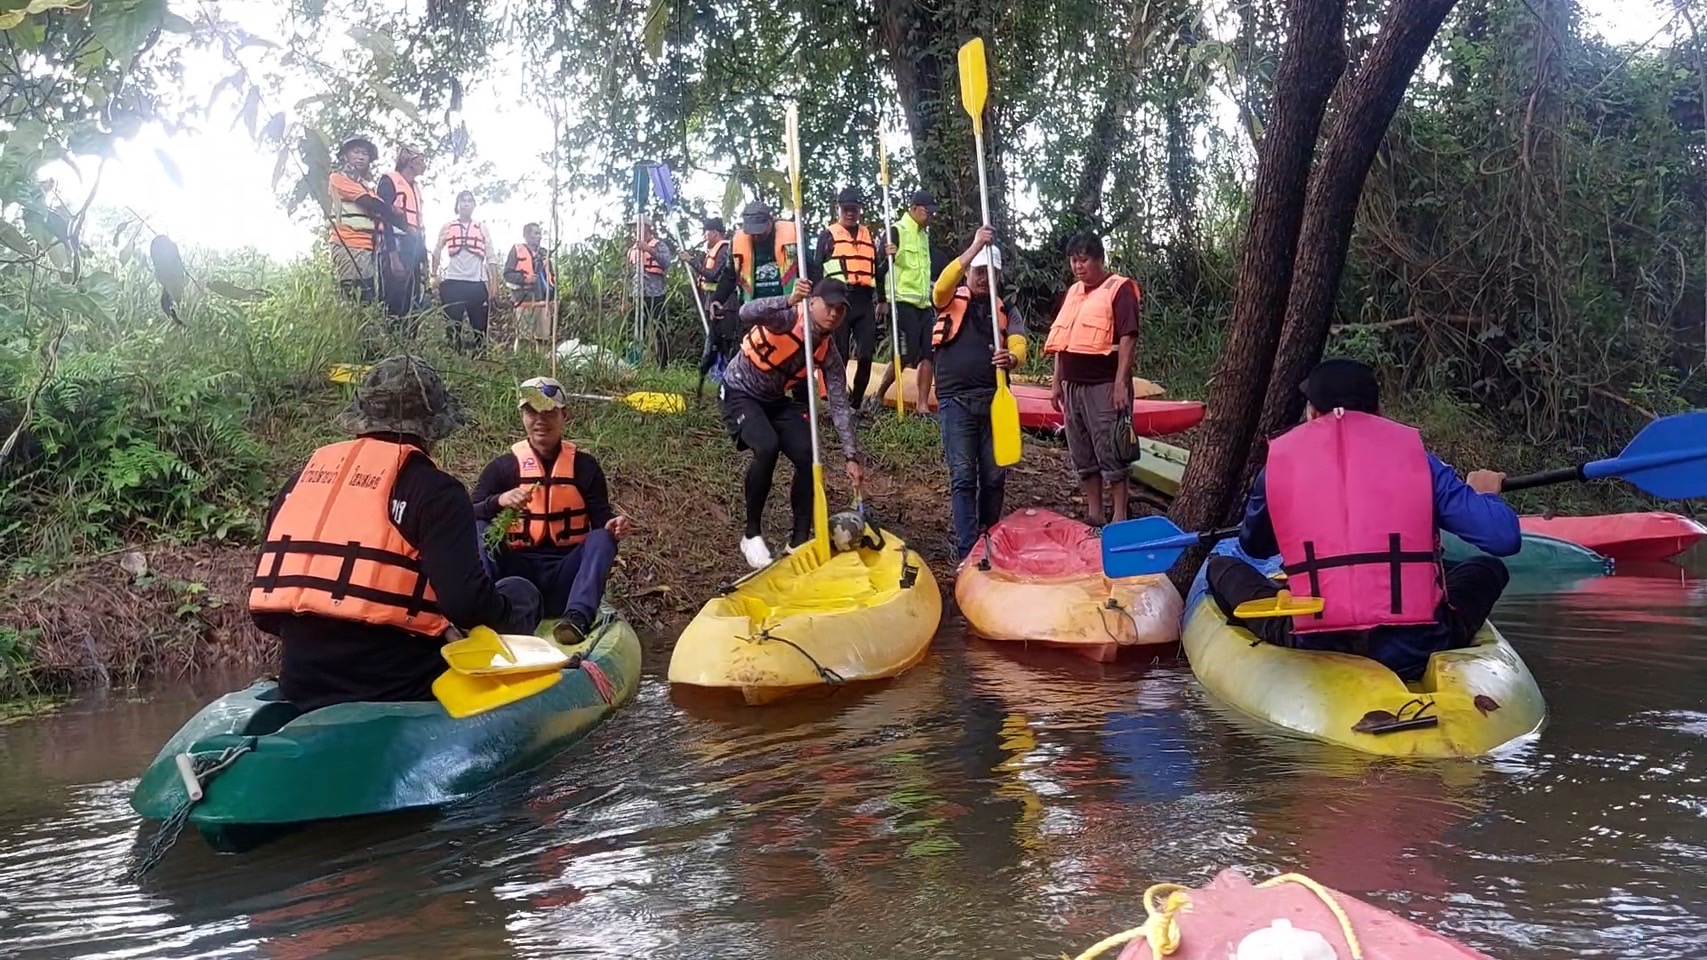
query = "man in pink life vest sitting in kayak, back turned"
x=1355 y=505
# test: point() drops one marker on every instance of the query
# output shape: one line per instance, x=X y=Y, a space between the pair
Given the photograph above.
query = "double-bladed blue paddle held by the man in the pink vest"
x=1667 y=460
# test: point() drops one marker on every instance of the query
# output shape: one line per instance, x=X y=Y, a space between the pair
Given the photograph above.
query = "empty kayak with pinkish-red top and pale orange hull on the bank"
x=1039 y=578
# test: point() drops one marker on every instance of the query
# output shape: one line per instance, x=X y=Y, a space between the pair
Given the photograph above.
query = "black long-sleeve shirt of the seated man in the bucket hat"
x=332 y=660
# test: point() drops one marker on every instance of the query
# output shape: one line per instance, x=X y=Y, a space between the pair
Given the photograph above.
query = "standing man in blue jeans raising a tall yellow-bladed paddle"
x=962 y=363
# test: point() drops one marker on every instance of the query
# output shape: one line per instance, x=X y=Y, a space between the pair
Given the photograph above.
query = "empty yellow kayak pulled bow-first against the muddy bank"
x=798 y=624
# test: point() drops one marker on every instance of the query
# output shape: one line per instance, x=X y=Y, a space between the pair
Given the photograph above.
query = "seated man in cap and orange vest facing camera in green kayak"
x=566 y=539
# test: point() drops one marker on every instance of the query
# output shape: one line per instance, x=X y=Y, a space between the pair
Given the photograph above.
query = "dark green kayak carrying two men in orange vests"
x=267 y=768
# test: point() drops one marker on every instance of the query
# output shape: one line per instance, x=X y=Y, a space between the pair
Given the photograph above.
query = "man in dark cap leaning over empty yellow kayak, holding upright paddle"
x=762 y=413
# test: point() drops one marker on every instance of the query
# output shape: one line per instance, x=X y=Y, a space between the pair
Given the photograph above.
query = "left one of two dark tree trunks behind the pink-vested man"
x=1312 y=66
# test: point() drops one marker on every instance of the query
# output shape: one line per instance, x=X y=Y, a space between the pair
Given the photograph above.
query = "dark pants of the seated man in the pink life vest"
x=1472 y=590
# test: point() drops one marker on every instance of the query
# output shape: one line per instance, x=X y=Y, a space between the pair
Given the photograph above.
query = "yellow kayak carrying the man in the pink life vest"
x=1479 y=698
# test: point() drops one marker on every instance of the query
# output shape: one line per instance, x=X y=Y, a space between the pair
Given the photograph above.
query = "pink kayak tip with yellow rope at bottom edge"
x=1232 y=908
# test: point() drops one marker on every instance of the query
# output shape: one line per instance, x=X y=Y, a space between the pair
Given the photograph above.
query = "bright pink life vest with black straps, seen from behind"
x=1353 y=505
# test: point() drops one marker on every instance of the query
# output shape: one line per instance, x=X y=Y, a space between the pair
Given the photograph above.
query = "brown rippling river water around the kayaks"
x=989 y=804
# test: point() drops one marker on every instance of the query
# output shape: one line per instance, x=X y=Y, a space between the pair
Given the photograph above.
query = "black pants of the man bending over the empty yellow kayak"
x=772 y=428
